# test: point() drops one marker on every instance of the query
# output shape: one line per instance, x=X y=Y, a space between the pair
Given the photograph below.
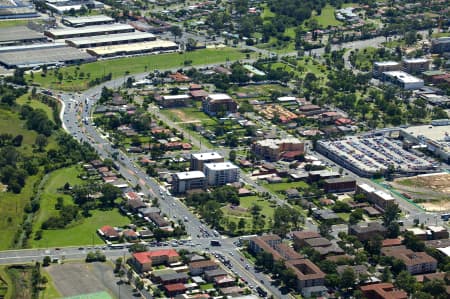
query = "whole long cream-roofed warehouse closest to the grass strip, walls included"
x=156 y=46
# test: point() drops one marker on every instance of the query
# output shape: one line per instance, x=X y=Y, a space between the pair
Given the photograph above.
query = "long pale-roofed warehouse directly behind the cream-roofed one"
x=110 y=39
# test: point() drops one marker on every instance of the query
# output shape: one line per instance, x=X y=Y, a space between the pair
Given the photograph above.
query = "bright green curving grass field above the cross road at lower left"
x=80 y=233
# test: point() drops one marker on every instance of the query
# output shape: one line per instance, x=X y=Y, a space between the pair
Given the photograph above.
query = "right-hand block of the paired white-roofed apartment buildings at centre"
x=219 y=174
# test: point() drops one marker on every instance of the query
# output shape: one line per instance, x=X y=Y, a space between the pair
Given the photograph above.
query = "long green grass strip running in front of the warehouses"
x=132 y=65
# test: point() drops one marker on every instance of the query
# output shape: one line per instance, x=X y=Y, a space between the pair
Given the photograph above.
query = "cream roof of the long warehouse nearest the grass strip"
x=135 y=47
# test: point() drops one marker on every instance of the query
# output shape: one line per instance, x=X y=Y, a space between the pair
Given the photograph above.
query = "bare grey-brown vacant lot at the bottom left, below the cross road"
x=73 y=279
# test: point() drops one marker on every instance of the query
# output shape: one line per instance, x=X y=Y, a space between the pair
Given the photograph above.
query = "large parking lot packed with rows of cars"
x=372 y=154
